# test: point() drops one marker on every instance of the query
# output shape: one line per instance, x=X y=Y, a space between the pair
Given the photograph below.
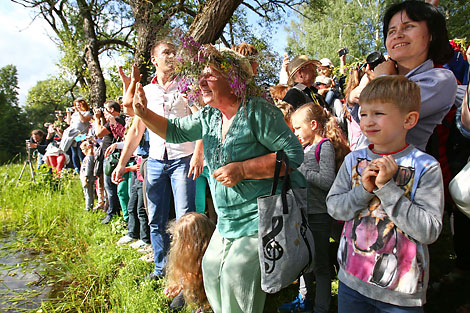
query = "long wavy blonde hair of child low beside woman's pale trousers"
x=190 y=237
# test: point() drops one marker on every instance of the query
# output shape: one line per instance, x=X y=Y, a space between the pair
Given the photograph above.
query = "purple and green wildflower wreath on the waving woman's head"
x=193 y=58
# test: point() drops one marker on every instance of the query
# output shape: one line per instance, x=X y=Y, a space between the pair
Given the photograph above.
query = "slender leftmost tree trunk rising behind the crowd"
x=97 y=86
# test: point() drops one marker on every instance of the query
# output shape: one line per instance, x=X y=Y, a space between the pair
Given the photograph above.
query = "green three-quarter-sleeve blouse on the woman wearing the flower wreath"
x=258 y=128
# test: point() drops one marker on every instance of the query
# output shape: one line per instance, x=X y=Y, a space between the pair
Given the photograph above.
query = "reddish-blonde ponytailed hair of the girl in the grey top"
x=327 y=128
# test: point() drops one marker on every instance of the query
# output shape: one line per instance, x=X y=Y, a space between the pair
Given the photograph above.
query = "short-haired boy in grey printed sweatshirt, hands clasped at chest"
x=391 y=197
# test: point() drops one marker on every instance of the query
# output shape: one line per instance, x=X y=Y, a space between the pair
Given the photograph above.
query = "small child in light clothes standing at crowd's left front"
x=86 y=174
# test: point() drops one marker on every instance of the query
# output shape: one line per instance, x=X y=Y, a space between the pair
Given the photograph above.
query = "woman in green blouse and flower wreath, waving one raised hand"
x=240 y=132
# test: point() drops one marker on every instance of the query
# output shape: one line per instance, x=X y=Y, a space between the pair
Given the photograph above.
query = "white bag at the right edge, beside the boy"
x=459 y=188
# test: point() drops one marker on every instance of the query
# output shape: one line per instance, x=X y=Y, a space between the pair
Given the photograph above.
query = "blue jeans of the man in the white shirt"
x=162 y=178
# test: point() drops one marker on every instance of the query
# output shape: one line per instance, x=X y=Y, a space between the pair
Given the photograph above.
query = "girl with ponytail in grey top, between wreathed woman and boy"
x=325 y=149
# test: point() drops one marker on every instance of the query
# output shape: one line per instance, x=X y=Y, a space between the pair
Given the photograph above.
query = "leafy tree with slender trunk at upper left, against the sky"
x=84 y=30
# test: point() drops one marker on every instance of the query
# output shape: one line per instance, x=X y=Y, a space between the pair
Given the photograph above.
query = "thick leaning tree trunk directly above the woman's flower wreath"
x=209 y=24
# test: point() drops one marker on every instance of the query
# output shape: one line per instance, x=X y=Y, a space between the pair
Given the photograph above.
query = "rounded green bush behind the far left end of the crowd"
x=46 y=97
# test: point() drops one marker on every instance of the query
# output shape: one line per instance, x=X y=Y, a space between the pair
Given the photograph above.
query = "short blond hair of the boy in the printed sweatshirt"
x=394 y=89
